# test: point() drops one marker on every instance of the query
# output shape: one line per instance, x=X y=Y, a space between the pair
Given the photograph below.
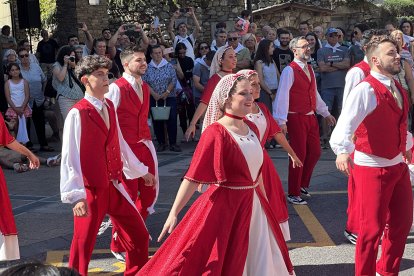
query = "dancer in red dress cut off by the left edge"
x=9 y=245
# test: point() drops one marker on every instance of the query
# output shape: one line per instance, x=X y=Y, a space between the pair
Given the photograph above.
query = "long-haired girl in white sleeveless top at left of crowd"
x=17 y=96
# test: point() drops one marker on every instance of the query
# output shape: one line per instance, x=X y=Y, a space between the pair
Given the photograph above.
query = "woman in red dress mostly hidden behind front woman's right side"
x=268 y=129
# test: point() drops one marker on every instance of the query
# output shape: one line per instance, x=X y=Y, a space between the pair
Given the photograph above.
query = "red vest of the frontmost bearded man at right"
x=383 y=133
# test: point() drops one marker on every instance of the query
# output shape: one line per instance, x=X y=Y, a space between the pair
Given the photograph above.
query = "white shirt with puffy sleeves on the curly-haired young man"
x=72 y=187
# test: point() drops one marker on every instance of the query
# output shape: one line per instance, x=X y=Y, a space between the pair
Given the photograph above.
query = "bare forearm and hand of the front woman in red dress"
x=184 y=194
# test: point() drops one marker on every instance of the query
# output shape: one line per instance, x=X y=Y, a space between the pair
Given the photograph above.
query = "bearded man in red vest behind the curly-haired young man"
x=131 y=96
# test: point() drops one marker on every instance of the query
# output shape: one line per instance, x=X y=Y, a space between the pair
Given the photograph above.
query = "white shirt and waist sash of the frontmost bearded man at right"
x=360 y=103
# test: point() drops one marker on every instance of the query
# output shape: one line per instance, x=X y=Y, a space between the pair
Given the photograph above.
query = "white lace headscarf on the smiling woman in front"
x=215 y=109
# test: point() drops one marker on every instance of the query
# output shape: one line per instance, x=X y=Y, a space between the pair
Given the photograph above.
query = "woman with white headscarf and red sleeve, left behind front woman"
x=224 y=62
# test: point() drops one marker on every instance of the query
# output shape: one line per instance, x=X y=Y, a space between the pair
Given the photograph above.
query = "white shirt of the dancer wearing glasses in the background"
x=281 y=103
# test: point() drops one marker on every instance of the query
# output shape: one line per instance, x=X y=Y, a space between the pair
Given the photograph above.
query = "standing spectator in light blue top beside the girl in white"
x=34 y=75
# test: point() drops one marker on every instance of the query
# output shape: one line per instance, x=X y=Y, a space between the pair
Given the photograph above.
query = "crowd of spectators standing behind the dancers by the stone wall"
x=179 y=72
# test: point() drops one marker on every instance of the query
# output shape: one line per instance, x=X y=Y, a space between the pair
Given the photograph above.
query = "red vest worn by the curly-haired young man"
x=100 y=154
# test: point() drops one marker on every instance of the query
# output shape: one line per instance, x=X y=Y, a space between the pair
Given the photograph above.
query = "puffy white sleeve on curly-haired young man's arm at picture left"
x=72 y=186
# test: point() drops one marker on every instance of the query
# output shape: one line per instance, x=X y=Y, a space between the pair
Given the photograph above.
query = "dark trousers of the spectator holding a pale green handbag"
x=171 y=122
